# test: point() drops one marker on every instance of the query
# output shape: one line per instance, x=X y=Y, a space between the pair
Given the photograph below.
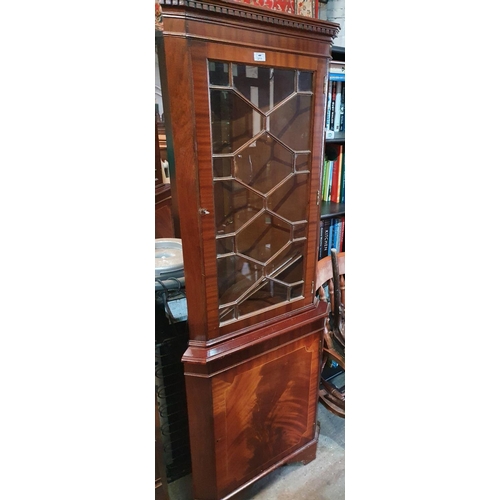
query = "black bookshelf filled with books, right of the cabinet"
x=332 y=187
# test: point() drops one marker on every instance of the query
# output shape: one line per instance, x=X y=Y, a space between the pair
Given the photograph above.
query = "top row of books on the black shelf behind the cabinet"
x=335 y=103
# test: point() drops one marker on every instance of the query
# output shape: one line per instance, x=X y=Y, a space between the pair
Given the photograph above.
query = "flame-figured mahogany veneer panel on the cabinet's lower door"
x=261 y=412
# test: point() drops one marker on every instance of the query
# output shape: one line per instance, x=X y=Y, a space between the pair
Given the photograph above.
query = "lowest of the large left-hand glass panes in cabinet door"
x=236 y=275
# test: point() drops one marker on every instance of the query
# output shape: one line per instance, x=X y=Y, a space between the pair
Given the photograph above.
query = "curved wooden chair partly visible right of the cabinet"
x=330 y=287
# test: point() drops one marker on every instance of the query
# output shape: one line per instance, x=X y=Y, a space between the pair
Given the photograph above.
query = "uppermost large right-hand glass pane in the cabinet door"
x=291 y=122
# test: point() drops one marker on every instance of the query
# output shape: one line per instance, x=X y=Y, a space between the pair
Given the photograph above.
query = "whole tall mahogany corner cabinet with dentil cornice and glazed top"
x=244 y=100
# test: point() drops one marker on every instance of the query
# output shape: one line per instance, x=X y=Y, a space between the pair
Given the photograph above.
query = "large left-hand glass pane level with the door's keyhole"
x=234 y=205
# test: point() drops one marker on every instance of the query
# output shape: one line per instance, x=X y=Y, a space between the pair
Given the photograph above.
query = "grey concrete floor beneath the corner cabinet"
x=323 y=478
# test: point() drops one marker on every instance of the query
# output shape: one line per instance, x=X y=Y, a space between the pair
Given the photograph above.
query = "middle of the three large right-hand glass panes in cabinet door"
x=283 y=201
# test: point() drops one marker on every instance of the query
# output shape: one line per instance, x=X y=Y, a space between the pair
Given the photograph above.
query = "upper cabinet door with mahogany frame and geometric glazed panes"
x=252 y=196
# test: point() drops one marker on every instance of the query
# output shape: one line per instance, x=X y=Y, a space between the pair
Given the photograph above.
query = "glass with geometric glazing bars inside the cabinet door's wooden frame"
x=261 y=159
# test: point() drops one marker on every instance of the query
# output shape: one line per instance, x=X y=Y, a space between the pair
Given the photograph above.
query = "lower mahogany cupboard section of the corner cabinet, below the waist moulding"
x=253 y=416
